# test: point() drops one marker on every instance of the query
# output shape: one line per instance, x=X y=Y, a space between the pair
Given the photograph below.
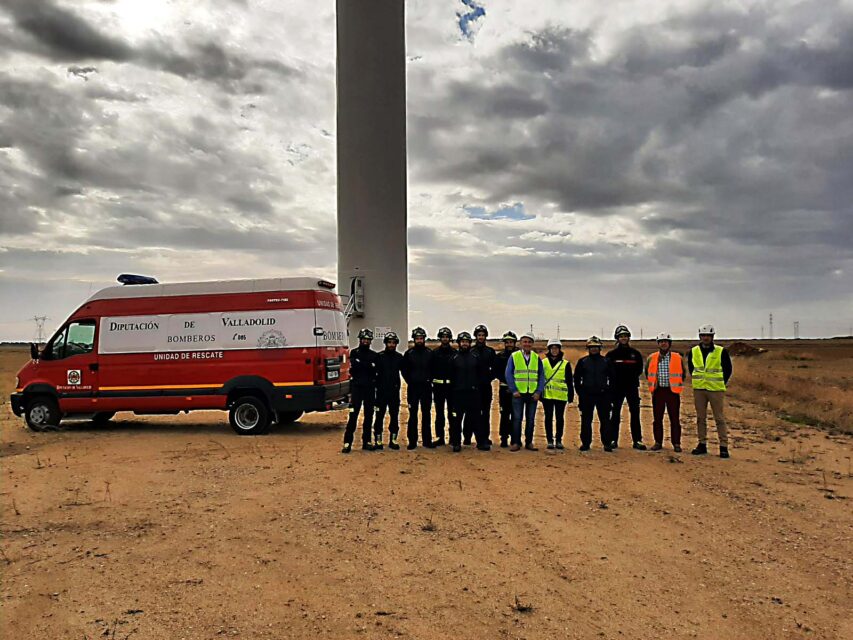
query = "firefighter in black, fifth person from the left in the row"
x=465 y=378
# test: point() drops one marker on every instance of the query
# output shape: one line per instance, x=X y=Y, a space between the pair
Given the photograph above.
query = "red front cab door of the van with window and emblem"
x=70 y=364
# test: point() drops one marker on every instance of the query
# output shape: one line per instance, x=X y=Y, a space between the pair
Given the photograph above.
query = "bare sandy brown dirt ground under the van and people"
x=177 y=528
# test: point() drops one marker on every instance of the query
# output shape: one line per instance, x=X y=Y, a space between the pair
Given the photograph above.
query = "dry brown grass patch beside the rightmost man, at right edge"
x=807 y=394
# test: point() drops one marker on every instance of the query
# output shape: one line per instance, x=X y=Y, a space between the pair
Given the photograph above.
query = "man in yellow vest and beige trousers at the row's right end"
x=710 y=368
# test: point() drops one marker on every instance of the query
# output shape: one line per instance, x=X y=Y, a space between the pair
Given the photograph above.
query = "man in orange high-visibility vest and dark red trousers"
x=665 y=374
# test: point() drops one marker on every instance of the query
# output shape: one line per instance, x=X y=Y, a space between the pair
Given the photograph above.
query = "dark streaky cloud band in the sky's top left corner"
x=61 y=34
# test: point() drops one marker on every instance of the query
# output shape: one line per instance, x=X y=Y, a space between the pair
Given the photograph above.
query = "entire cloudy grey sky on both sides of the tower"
x=662 y=164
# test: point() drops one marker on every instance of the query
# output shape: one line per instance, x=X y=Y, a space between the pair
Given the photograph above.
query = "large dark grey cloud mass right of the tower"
x=718 y=121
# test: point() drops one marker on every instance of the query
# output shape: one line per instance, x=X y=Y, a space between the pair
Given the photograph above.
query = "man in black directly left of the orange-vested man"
x=627 y=365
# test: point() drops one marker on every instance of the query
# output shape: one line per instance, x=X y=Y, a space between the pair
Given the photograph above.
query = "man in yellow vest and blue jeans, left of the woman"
x=525 y=376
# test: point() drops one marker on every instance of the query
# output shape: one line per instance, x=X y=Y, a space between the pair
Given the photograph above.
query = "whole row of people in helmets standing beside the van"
x=458 y=381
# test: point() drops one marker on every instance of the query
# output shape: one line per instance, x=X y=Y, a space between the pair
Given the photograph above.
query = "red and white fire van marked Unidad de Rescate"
x=265 y=350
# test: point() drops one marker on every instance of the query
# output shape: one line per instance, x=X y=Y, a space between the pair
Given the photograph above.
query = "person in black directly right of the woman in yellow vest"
x=592 y=379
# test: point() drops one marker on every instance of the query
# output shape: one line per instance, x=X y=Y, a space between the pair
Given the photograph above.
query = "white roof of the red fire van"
x=209 y=288
